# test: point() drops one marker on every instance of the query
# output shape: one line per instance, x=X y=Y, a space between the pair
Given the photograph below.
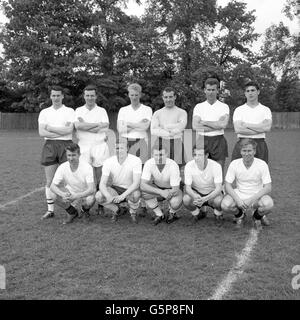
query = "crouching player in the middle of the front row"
x=161 y=180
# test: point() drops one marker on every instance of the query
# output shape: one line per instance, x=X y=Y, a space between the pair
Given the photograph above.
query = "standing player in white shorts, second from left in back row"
x=91 y=123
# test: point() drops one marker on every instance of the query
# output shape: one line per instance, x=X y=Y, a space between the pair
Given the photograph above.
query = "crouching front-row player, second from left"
x=120 y=181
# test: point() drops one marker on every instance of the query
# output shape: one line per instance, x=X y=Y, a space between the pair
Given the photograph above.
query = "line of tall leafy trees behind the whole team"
x=175 y=43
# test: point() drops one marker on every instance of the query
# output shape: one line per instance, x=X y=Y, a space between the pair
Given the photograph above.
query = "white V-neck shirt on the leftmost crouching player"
x=76 y=181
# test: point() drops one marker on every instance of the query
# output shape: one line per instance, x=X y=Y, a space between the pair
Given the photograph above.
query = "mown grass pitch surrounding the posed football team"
x=99 y=260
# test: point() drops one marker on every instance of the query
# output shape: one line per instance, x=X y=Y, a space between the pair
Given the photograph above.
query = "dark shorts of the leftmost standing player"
x=54 y=152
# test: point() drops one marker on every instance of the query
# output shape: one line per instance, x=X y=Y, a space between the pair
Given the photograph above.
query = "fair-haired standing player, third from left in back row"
x=133 y=123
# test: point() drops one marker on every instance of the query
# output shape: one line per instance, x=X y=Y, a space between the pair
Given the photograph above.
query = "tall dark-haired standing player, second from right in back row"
x=210 y=118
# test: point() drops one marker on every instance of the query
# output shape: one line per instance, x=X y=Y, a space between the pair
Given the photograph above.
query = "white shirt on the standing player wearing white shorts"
x=95 y=115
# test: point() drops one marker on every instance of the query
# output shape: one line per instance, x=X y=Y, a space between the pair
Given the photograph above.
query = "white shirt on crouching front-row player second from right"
x=204 y=181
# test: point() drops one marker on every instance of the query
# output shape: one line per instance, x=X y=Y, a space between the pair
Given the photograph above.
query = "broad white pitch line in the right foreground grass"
x=237 y=270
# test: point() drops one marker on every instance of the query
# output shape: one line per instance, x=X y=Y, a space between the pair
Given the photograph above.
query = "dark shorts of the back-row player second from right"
x=217 y=146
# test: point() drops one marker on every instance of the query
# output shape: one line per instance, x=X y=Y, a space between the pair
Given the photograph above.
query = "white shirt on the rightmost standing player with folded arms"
x=252 y=115
